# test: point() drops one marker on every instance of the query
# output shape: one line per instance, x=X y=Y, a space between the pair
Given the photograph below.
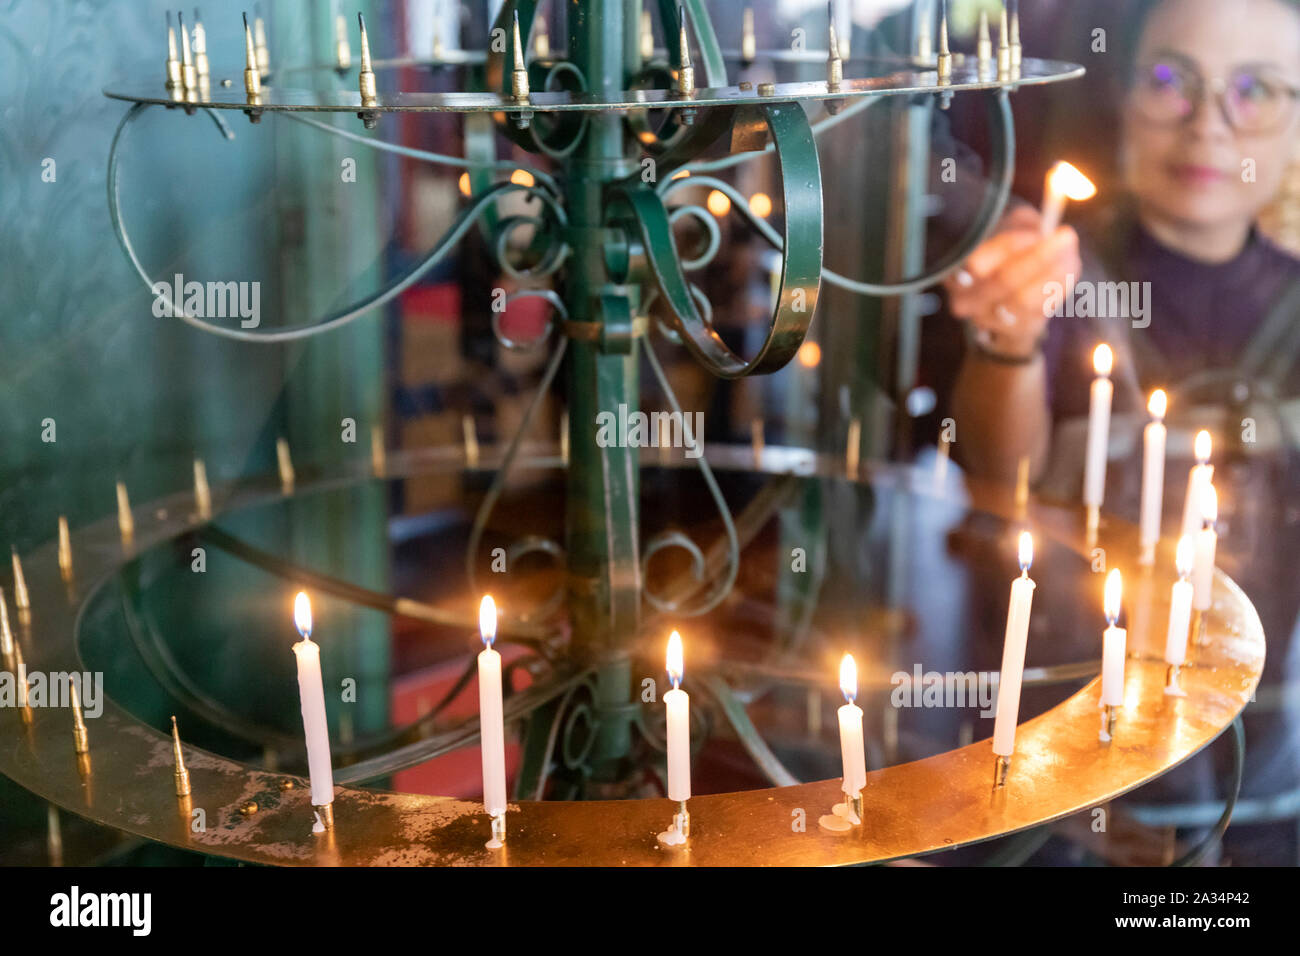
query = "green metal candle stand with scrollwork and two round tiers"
x=604 y=253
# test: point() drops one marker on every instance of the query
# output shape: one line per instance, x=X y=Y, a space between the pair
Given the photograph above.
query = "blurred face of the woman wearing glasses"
x=1185 y=159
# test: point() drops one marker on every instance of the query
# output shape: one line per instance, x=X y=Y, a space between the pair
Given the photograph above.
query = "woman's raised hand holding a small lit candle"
x=1000 y=289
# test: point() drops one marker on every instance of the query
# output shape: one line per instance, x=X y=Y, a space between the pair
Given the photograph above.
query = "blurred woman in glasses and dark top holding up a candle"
x=1211 y=128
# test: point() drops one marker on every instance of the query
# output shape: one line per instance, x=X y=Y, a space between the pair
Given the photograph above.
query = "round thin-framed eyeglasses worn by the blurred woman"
x=1253 y=102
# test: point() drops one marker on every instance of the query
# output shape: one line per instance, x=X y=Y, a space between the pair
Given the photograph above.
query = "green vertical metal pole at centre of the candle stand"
x=604 y=486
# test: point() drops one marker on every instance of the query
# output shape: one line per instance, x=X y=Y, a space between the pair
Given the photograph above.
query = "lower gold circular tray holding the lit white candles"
x=939 y=803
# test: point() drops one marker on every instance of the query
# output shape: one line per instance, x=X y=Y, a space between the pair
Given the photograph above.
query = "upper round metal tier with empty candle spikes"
x=896 y=77
